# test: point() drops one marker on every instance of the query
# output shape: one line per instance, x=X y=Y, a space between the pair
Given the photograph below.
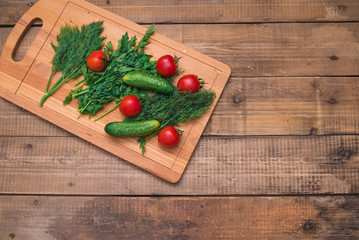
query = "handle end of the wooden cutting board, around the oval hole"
x=43 y=11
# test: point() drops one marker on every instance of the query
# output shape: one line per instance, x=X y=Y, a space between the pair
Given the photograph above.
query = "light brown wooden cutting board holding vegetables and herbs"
x=23 y=83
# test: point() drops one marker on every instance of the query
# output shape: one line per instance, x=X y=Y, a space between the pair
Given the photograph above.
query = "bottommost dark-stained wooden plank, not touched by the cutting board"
x=41 y=217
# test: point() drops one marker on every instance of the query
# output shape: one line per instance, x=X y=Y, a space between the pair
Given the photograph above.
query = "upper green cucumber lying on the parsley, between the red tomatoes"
x=147 y=81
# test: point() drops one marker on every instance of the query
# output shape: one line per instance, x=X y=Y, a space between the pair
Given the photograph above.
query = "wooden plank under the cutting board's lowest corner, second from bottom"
x=220 y=165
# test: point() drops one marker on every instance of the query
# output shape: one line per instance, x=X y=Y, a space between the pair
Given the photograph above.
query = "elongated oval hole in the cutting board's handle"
x=26 y=38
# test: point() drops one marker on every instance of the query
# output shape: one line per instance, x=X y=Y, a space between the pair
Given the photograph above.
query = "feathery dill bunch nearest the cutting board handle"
x=74 y=46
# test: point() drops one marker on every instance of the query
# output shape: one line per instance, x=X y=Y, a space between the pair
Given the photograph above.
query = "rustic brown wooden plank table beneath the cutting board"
x=279 y=158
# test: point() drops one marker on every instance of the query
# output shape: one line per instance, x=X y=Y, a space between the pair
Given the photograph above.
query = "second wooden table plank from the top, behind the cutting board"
x=283 y=49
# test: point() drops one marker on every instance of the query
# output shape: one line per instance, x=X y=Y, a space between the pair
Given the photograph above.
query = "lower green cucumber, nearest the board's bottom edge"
x=131 y=129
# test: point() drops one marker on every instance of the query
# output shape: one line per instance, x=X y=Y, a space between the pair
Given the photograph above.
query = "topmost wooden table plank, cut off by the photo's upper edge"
x=208 y=11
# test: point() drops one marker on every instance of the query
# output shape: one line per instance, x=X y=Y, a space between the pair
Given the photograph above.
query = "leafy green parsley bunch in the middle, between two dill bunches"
x=99 y=88
